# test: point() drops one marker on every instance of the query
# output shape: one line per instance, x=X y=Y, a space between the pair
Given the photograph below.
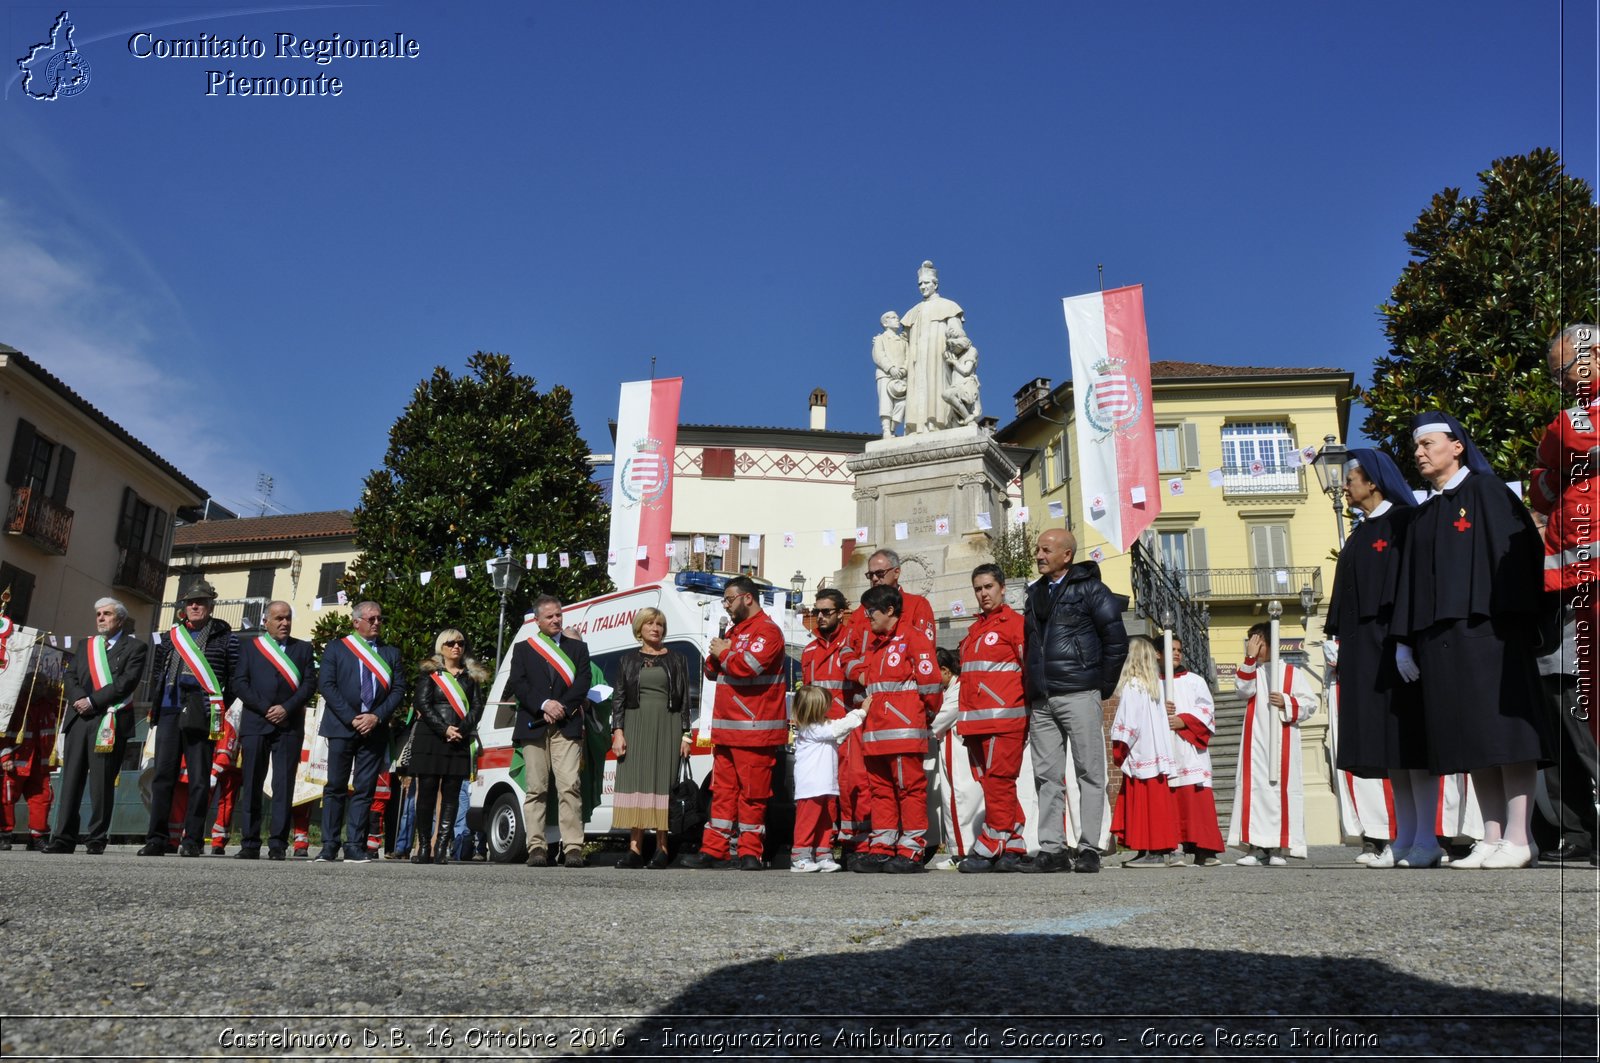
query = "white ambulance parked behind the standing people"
x=692 y=603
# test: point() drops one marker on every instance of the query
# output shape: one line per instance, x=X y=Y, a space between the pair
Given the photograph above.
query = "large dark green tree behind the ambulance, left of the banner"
x=478 y=465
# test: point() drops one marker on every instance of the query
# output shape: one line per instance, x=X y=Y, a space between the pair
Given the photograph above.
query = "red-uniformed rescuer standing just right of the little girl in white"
x=903 y=694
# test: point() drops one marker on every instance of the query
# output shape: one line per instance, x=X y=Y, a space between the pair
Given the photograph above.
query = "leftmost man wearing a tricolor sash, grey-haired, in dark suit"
x=97 y=726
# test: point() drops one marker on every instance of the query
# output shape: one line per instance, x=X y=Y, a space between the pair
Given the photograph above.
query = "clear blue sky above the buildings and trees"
x=735 y=190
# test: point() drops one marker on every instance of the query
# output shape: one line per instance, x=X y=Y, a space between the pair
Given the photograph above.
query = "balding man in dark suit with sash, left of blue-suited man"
x=274 y=681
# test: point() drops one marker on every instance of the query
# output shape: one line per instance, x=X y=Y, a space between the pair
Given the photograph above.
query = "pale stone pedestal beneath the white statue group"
x=918 y=481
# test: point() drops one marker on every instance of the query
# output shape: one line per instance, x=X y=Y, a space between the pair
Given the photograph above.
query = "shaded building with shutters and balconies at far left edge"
x=90 y=510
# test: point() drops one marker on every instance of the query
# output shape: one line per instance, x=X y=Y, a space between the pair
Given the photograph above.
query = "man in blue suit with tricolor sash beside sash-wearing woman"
x=361 y=686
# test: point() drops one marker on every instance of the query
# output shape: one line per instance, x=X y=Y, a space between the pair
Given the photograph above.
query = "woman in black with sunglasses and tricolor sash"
x=449 y=699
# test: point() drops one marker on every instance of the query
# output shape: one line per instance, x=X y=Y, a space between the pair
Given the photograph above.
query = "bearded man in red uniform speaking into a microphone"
x=750 y=728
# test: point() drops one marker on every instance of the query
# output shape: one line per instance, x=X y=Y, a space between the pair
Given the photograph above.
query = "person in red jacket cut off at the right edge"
x=1567 y=489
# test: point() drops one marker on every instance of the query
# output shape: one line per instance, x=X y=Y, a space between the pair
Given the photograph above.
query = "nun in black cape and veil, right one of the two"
x=1468 y=601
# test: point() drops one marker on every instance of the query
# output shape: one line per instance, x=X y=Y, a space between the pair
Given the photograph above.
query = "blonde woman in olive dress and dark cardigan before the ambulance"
x=650 y=732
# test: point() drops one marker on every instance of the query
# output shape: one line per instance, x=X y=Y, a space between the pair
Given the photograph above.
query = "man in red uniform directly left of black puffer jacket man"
x=994 y=721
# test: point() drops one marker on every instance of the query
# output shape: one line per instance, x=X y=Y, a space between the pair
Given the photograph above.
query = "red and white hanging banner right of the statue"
x=1116 y=431
